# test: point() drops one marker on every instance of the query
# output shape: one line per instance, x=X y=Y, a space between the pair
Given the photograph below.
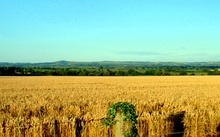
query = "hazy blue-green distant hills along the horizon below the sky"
x=112 y=64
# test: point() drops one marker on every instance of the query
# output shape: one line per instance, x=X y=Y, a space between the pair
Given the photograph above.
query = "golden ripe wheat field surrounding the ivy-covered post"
x=186 y=106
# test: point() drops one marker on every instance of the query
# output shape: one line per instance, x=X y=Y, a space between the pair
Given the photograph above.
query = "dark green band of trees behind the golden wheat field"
x=137 y=71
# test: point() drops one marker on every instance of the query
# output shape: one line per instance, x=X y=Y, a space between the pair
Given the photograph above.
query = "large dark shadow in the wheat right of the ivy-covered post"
x=178 y=125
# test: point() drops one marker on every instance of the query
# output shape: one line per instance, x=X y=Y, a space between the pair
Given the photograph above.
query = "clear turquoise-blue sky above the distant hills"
x=109 y=30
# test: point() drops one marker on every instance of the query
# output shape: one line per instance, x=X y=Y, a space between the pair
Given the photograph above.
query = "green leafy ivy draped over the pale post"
x=129 y=113
